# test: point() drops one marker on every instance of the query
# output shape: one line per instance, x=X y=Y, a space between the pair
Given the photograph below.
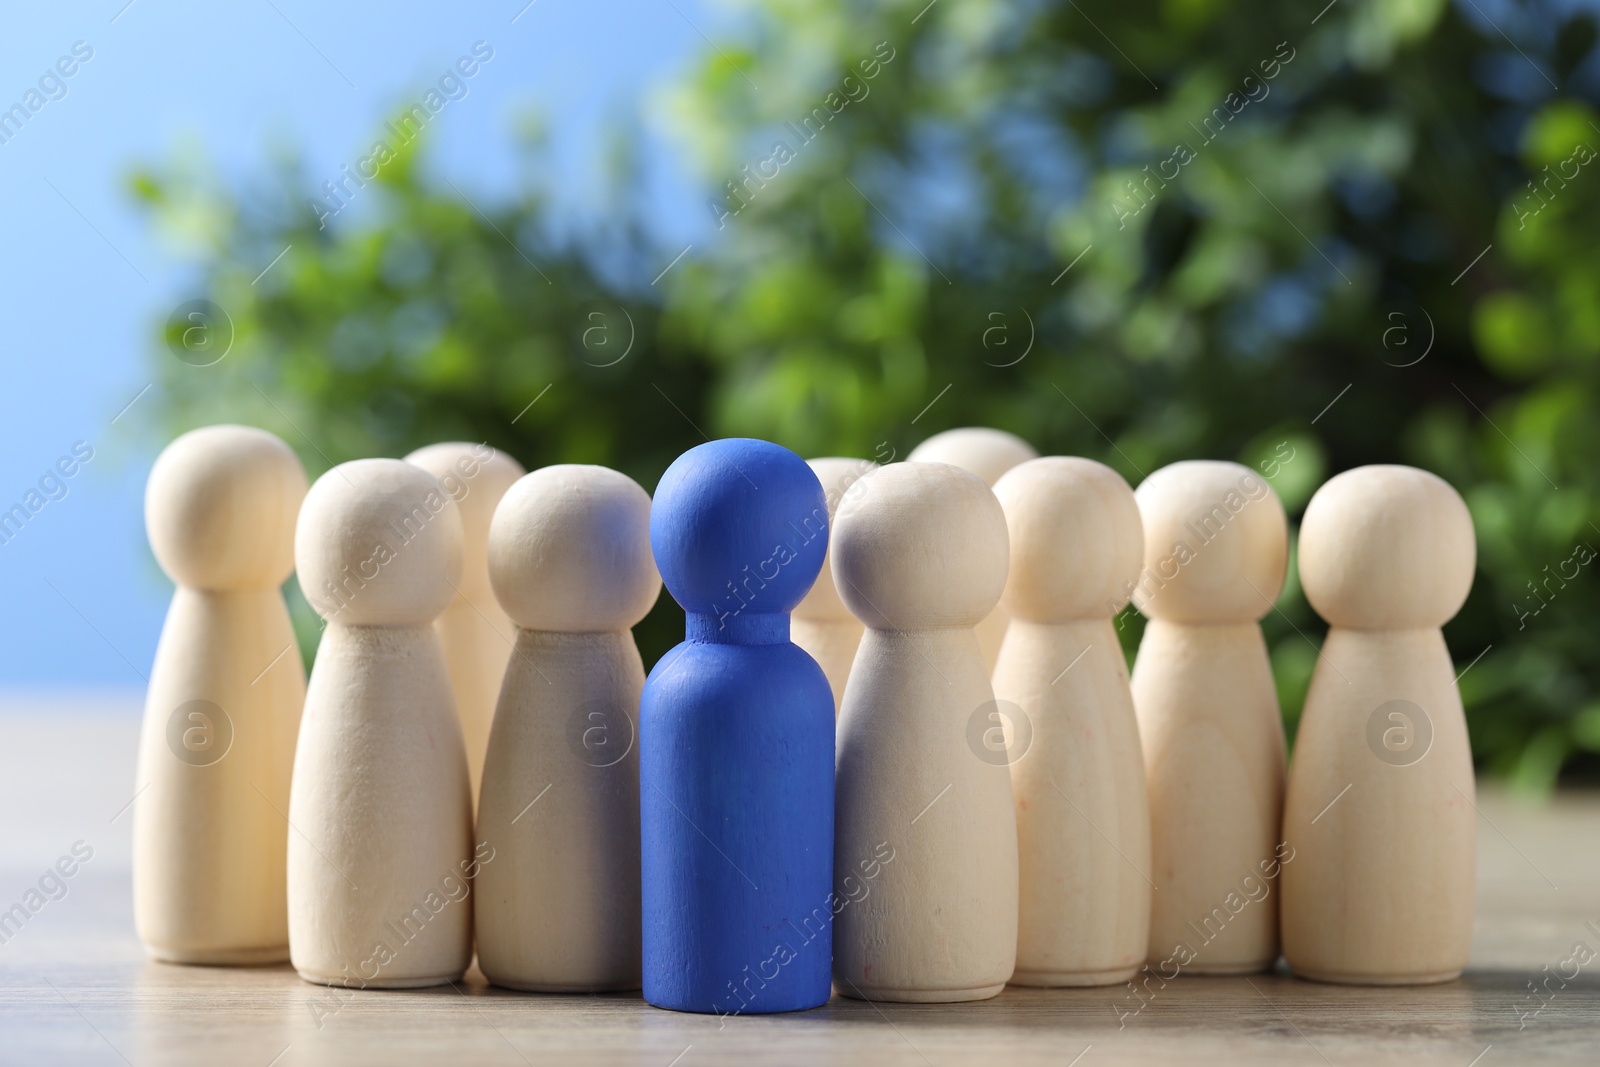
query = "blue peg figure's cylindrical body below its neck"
x=737 y=829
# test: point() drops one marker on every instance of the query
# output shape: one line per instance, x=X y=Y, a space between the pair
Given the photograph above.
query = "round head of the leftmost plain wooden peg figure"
x=220 y=508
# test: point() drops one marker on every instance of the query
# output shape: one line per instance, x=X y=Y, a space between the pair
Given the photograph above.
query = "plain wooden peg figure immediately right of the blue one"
x=926 y=855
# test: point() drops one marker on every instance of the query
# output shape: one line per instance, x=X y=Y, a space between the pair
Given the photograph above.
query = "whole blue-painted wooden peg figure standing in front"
x=737 y=743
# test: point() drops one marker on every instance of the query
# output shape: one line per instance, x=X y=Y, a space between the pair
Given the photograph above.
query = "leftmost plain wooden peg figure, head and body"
x=223 y=706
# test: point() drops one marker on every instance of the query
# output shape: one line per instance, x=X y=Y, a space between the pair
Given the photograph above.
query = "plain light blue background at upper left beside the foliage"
x=84 y=282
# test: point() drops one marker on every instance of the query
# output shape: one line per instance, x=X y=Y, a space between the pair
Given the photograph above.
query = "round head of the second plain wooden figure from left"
x=378 y=545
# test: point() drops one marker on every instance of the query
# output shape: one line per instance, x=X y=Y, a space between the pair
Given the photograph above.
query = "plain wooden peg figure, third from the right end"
x=1078 y=770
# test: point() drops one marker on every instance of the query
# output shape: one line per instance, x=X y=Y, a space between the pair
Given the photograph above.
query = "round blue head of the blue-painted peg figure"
x=740 y=529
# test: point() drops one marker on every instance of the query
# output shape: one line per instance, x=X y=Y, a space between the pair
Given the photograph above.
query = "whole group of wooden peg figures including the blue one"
x=479 y=756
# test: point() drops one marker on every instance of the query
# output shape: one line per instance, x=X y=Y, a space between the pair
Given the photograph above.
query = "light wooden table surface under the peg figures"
x=76 y=988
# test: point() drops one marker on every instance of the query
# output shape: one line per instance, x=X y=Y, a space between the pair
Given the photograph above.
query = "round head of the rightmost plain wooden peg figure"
x=1386 y=549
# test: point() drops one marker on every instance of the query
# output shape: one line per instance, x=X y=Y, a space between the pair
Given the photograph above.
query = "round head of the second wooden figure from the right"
x=1215 y=545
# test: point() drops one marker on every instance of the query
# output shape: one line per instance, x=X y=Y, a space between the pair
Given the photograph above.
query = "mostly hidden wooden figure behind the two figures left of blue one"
x=474 y=631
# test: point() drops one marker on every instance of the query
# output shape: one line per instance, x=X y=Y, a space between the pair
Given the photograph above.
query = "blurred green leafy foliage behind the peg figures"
x=1137 y=233
